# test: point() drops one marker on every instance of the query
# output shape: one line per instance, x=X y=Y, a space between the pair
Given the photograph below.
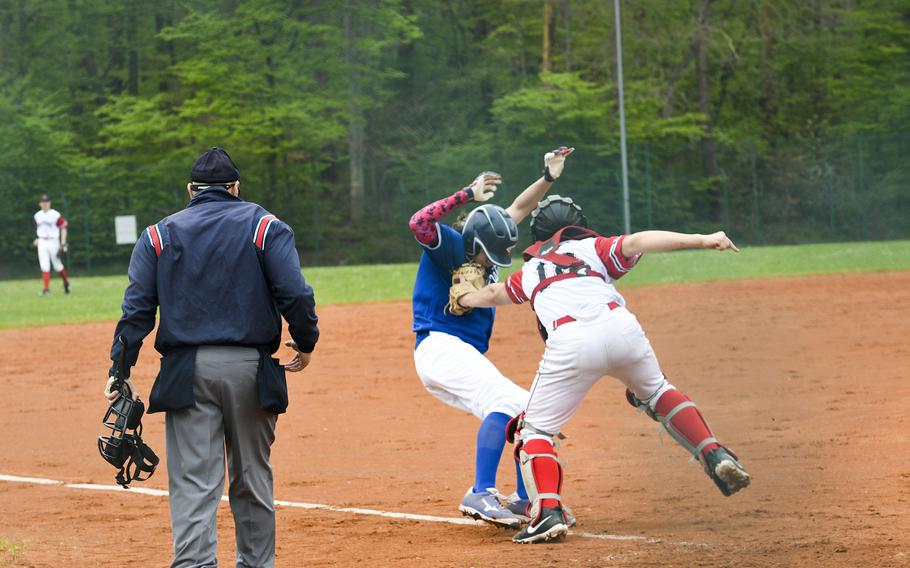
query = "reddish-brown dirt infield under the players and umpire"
x=805 y=378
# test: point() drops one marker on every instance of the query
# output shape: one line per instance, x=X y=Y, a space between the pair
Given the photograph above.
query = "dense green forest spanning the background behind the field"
x=780 y=121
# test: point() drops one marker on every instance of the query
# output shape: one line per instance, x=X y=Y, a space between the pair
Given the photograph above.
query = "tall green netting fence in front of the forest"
x=842 y=189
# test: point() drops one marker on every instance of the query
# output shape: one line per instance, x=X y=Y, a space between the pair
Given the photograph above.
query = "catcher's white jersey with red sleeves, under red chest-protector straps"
x=579 y=296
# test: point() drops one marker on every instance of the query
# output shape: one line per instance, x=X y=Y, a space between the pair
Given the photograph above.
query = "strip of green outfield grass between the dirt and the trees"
x=98 y=298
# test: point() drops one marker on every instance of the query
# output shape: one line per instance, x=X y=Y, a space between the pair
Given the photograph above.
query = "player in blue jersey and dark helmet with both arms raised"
x=449 y=355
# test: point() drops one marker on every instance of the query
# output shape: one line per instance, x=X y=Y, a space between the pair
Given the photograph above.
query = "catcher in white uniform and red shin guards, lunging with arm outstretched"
x=568 y=279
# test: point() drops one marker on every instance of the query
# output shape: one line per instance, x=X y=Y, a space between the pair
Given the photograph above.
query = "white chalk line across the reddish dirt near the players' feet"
x=301 y=505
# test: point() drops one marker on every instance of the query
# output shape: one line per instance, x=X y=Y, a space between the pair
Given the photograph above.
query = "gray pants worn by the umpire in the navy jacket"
x=226 y=415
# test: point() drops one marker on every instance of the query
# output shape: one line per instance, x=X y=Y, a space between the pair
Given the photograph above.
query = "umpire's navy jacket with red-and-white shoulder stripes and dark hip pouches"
x=223 y=272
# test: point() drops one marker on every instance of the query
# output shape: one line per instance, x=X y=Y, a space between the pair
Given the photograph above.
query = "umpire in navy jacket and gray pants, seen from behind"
x=222 y=272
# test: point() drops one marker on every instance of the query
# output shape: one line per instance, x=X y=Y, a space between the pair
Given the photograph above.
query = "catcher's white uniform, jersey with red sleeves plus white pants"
x=590 y=332
